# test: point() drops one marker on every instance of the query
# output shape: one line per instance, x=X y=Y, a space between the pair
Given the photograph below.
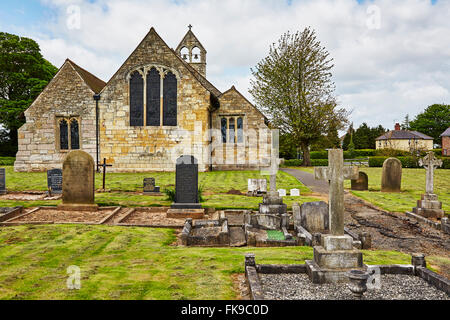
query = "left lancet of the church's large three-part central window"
x=136 y=99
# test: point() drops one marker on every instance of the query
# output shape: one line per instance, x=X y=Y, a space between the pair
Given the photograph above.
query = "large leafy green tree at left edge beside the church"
x=23 y=75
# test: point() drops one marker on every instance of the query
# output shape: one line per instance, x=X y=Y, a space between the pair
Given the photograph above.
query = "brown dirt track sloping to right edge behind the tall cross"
x=395 y=231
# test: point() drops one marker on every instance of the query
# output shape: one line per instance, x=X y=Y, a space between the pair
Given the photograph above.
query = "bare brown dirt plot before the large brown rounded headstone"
x=54 y=215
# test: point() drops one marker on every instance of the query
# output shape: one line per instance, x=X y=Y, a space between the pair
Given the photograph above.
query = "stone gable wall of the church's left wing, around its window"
x=67 y=95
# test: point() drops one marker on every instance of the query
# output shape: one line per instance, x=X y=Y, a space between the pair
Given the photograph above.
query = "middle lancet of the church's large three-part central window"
x=153 y=97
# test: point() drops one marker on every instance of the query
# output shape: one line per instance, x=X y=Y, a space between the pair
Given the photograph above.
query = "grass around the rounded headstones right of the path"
x=413 y=185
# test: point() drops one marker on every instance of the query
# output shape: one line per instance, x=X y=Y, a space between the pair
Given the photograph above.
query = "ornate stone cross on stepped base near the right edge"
x=429 y=206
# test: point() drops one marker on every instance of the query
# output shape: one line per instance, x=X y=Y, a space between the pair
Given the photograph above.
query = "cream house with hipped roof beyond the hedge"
x=404 y=140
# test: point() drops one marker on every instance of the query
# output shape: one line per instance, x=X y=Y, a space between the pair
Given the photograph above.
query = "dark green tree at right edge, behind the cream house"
x=433 y=121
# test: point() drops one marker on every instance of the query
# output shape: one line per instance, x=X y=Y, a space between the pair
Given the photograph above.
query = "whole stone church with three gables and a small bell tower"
x=156 y=107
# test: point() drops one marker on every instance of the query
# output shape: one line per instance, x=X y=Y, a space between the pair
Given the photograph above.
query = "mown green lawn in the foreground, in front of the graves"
x=130 y=263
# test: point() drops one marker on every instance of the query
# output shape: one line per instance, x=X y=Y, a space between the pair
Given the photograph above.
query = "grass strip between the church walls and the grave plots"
x=124 y=188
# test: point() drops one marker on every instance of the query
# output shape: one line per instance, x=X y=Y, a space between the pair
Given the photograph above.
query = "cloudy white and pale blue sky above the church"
x=392 y=57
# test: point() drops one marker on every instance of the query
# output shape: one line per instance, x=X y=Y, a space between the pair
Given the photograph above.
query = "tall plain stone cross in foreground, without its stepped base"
x=336 y=173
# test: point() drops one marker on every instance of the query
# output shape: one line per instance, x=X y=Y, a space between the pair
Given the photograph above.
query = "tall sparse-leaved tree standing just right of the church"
x=293 y=87
